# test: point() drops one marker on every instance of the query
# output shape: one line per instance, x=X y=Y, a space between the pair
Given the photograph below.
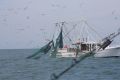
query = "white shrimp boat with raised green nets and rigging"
x=76 y=47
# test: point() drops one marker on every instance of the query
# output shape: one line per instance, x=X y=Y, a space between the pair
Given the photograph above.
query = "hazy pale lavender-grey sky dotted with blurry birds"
x=28 y=23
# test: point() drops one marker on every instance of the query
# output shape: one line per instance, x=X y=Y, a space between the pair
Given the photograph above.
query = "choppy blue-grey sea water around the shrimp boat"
x=15 y=66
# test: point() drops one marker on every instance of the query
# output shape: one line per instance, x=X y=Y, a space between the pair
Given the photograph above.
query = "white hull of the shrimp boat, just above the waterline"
x=109 y=52
